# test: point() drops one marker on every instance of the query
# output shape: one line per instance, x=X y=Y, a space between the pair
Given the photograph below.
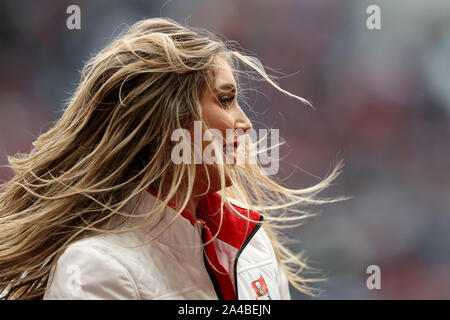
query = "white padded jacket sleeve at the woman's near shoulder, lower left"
x=87 y=273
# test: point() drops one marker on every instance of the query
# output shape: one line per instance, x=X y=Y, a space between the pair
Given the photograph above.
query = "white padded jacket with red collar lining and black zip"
x=174 y=266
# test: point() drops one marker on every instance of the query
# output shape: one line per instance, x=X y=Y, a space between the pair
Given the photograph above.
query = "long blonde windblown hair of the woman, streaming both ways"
x=111 y=144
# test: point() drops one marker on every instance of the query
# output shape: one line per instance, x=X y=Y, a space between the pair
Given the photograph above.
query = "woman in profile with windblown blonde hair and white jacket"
x=100 y=209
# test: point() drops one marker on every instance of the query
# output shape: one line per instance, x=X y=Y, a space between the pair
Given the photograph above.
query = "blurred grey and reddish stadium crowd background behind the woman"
x=382 y=104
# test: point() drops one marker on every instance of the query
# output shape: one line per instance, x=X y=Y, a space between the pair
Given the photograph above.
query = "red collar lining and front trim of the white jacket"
x=234 y=231
